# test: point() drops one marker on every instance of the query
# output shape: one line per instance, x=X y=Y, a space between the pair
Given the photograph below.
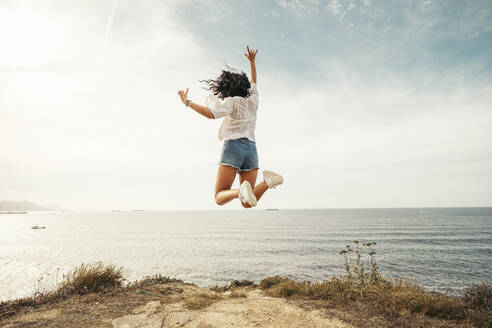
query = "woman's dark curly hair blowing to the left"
x=229 y=84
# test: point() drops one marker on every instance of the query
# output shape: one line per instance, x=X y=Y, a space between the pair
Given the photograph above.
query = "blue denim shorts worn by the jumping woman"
x=239 y=153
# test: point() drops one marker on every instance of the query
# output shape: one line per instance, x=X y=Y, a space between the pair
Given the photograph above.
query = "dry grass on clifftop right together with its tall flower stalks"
x=400 y=302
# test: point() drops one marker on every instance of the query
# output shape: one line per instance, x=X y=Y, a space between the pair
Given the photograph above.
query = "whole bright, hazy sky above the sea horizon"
x=363 y=103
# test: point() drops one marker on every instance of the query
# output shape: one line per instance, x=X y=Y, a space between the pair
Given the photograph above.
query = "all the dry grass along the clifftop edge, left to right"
x=362 y=296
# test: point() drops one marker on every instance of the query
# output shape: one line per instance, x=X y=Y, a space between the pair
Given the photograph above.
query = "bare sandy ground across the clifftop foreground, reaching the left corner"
x=174 y=305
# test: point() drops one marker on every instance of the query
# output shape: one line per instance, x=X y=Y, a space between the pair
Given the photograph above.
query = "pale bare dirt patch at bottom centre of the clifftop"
x=256 y=310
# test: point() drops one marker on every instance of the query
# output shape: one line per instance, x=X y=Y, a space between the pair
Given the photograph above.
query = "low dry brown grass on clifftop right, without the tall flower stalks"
x=393 y=302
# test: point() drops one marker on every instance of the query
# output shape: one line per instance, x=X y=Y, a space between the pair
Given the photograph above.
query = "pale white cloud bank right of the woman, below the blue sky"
x=379 y=141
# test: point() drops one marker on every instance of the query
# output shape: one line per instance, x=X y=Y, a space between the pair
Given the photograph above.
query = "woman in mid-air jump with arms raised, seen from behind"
x=235 y=99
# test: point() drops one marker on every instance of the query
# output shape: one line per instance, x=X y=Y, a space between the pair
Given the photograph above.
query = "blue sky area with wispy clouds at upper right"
x=408 y=38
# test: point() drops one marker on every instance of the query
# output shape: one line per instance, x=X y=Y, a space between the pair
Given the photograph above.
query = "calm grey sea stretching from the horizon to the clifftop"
x=441 y=249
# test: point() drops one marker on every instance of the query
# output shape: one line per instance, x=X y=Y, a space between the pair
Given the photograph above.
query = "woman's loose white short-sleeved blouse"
x=239 y=114
